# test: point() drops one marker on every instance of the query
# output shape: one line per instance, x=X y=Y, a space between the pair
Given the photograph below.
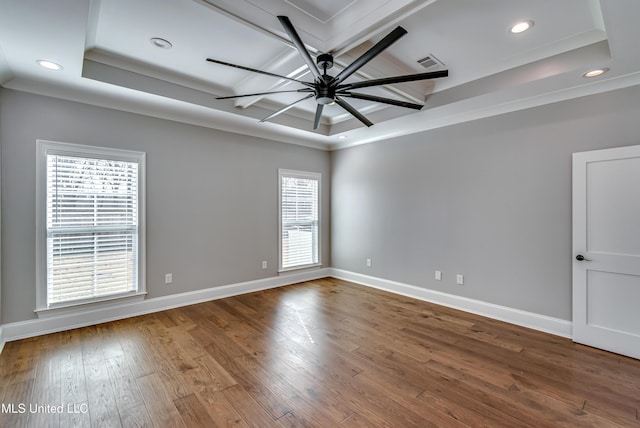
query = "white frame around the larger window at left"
x=44 y=148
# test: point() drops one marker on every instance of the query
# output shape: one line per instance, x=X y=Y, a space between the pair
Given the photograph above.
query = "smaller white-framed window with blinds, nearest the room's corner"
x=299 y=219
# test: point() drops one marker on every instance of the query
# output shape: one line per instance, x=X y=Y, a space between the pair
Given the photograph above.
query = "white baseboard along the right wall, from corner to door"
x=544 y=323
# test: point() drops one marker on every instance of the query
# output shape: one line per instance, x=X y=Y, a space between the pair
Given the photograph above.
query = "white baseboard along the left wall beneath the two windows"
x=56 y=323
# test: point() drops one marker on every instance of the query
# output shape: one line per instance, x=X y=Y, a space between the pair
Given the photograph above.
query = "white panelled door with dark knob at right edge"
x=606 y=249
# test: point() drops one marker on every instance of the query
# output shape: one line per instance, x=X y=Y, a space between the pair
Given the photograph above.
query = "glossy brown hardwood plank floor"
x=324 y=353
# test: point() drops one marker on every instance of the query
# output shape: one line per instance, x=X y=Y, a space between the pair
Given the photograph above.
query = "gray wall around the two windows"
x=212 y=211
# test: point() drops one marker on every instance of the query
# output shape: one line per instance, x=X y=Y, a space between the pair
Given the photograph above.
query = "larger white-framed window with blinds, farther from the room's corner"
x=90 y=212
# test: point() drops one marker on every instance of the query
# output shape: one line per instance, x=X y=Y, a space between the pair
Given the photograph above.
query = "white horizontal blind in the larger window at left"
x=92 y=228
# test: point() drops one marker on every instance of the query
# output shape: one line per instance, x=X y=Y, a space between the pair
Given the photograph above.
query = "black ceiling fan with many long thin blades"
x=330 y=89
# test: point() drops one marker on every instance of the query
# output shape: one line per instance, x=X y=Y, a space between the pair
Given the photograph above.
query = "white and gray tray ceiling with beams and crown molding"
x=108 y=58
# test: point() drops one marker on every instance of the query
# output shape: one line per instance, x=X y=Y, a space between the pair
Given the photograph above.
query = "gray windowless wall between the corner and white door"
x=490 y=199
